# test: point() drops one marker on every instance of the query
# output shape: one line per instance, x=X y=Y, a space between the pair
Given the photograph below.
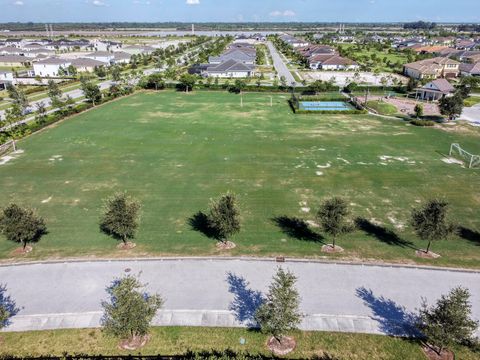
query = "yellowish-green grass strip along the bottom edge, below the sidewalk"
x=178 y=340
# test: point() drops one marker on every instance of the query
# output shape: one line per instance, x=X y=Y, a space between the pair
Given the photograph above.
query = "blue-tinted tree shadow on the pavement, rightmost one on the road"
x=393 y=318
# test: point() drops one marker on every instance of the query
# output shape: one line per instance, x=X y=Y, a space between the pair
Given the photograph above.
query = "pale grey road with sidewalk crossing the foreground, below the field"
x=226 y=292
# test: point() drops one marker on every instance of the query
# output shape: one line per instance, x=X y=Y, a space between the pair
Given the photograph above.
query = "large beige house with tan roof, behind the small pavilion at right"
x=439 y=67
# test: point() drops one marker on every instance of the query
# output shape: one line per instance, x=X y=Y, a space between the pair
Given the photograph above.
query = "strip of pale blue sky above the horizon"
x=239 y=10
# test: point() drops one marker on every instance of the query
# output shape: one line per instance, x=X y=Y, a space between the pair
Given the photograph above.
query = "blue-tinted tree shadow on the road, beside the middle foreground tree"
x=246 y=301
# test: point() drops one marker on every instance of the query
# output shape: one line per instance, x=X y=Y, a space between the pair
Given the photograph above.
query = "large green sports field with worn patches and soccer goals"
x=175 y=151
